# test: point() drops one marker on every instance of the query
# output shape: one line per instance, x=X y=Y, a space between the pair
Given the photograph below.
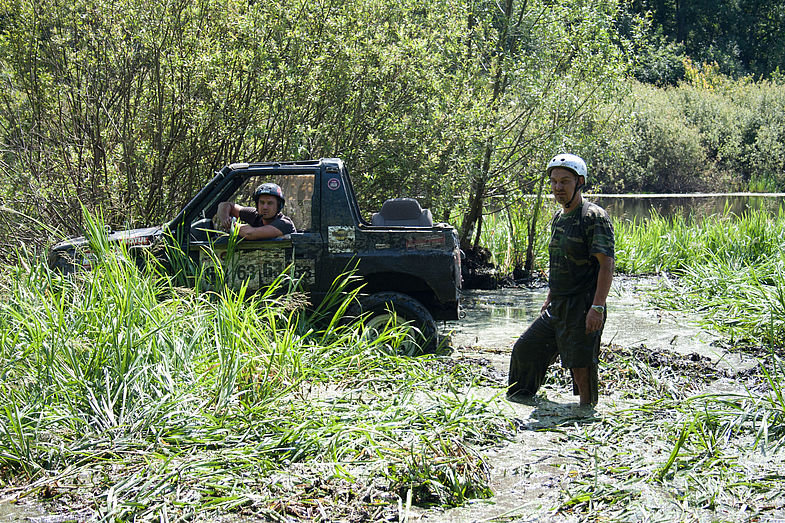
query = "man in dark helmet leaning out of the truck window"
x=264 y=222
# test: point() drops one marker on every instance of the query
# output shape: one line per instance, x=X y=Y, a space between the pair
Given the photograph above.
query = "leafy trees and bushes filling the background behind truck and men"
x=130 y=106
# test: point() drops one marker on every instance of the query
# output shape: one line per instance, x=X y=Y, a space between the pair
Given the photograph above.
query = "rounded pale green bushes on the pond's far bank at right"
x=711 y=134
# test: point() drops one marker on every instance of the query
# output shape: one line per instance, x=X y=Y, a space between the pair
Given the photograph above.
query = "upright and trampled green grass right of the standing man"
x=719 y=453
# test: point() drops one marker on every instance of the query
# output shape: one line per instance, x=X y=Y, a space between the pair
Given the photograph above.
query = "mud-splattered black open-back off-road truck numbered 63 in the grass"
x=409 y=267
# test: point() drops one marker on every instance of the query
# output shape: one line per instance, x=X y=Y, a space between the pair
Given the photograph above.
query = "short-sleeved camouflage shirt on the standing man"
x=575 y=236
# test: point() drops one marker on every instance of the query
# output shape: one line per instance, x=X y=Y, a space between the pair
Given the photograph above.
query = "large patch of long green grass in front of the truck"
x=135 y=398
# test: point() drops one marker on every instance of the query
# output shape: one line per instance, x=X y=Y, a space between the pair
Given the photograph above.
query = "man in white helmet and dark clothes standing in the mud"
x=581 y=265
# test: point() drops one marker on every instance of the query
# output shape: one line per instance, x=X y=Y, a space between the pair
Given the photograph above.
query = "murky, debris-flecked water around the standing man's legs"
x=531 y=474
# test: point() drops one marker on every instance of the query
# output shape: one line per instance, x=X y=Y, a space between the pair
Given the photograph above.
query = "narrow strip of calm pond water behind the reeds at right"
x=642 y=206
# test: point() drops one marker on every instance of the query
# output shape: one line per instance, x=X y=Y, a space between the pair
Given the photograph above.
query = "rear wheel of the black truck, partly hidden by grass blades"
x=382 y=308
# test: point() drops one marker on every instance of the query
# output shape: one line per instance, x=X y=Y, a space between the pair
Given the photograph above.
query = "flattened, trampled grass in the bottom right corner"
x=674 y=455
